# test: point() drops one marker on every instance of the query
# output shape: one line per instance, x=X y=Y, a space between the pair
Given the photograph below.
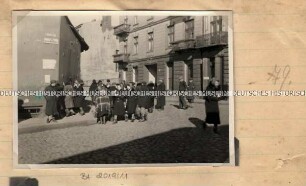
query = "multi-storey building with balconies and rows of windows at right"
x=169 y=47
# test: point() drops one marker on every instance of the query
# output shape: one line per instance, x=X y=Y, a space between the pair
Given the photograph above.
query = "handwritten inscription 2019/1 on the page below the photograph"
x=105 y=175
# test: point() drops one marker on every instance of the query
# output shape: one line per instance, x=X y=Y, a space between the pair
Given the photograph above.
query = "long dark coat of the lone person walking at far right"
x=212 y=106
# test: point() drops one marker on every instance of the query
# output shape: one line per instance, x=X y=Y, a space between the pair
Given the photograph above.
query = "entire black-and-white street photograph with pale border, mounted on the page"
x=173 y=58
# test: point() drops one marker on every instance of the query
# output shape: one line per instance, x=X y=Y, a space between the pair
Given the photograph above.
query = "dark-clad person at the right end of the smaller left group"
x=79 y=99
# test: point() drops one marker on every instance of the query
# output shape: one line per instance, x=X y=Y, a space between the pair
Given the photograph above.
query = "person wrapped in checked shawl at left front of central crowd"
x=102 y=105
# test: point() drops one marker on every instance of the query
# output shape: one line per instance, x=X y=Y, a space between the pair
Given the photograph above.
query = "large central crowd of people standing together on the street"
x=113 y=108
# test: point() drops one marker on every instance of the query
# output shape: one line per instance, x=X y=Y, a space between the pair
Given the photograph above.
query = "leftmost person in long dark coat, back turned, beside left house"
x=51 y=102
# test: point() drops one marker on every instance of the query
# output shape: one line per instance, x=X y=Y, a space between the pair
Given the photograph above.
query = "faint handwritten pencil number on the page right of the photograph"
x=280 y=75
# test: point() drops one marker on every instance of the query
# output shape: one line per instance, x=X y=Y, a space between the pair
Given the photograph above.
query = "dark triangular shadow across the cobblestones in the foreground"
x=183 y=145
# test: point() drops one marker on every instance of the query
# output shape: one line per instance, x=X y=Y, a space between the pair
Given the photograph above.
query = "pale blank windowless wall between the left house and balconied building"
x=97 y=62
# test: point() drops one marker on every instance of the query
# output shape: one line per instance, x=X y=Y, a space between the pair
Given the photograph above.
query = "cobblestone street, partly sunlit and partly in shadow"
x=169 y=136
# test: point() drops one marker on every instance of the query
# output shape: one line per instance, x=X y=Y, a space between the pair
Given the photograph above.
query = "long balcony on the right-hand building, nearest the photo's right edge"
x=212 y=39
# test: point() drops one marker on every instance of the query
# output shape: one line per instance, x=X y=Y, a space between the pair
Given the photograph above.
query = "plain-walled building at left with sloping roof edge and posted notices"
x=48 y=47
